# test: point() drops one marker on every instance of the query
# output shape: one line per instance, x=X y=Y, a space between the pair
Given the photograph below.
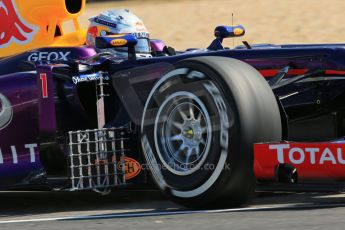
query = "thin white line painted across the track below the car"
x=149 y=214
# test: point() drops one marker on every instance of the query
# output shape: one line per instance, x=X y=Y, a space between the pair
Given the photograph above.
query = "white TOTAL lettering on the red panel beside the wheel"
x=309 y=155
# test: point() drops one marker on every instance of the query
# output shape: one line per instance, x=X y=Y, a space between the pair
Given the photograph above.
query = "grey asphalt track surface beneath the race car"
x=150 y=210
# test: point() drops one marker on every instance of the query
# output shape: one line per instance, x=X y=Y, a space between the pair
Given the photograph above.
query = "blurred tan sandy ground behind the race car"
x=190 y=23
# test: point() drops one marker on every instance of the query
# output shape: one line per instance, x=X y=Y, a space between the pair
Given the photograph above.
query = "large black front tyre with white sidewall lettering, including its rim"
x=198 y=129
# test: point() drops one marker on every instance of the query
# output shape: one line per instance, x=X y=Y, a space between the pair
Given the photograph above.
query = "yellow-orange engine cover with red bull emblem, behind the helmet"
x=31 y=24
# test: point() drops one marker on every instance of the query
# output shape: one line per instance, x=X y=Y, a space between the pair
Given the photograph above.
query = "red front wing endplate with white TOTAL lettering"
x=312 y=160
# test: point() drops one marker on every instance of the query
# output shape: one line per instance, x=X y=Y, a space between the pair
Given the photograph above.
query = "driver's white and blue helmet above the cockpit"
x=119 y=21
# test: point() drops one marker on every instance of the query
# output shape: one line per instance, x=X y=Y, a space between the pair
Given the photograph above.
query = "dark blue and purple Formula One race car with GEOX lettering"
x=206 y=126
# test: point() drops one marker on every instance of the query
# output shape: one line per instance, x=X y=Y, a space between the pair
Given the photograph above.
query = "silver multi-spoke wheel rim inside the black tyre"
x=182 y=133
